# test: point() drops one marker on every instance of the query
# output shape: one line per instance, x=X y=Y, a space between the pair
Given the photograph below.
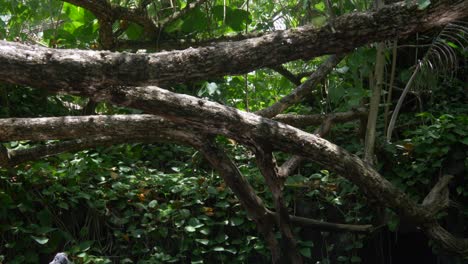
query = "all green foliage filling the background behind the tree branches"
x=162 y=203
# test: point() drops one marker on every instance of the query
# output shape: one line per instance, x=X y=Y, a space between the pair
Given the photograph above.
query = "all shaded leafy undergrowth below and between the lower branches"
x=162 y=204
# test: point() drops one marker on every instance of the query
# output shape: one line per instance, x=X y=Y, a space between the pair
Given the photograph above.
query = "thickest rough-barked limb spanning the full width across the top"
x=63 y=69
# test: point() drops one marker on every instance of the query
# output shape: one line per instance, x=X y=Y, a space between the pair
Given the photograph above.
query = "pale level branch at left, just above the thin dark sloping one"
x=72 y=127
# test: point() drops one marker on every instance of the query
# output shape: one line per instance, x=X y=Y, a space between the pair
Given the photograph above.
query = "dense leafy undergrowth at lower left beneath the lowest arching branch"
x=90 y=207
